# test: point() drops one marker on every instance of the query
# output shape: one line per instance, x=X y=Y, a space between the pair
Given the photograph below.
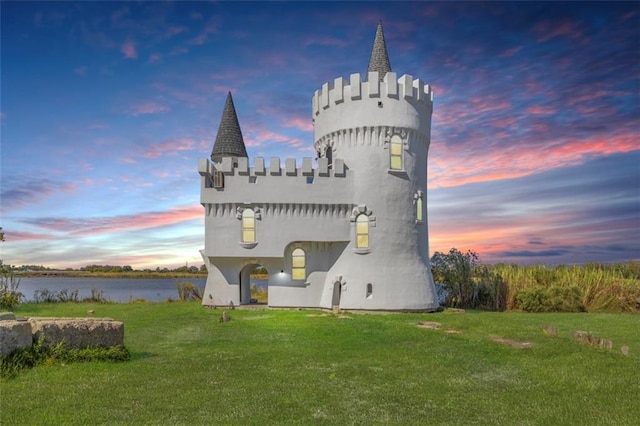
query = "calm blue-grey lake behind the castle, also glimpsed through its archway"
x=114 y=289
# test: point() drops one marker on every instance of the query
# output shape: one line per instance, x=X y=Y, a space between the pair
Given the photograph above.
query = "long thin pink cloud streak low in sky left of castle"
x=108 y=225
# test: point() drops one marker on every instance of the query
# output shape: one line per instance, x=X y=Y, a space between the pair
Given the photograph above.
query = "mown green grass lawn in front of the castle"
x=287 y=367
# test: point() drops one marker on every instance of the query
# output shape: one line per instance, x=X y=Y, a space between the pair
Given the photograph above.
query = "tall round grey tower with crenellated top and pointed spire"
x=380 y=126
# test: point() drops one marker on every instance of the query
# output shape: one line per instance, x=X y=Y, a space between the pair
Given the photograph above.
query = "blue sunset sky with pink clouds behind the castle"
x=106 y=108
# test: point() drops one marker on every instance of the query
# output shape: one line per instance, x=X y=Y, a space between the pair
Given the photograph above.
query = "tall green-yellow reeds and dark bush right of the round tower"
x=594 y=287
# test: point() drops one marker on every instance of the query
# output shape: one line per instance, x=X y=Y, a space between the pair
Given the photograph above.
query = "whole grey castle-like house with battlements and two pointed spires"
x=347 y=231
